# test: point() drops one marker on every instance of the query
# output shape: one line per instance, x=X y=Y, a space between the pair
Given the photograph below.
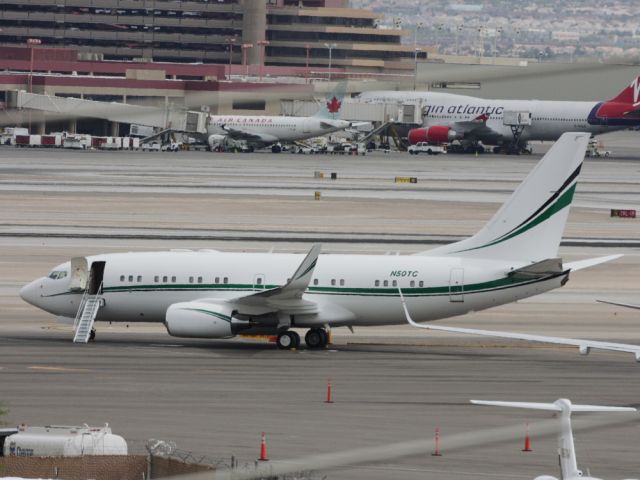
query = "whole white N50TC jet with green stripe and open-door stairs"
x=214 y=294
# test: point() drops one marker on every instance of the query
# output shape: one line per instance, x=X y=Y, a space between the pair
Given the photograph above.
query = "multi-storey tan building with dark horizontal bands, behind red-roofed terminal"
x=312 y=33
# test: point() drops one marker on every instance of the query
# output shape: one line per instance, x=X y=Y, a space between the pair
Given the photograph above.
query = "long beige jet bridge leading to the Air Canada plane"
x=157 y=117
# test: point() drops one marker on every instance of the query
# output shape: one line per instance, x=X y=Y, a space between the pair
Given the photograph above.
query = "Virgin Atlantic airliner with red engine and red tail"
x=509 y=124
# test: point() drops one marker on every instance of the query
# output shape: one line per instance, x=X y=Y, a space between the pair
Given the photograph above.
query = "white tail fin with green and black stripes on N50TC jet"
x=529 y=226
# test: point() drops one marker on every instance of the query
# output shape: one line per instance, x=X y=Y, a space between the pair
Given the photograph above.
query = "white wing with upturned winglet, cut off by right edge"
x=584 y=346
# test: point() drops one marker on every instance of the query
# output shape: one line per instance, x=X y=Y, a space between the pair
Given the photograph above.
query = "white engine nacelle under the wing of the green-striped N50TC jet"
x=202 y=320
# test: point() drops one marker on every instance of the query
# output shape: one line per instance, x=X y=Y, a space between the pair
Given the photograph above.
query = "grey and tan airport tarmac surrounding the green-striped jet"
x=390 y=384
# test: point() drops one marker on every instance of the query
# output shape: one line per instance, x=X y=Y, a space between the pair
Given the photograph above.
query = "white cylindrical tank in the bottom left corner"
x=64 y=441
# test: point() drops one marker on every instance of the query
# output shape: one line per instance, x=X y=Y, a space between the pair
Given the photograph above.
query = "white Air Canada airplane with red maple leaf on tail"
x=263 y=131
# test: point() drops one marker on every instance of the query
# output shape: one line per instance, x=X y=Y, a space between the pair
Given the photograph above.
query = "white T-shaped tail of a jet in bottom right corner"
x=566 y=448
